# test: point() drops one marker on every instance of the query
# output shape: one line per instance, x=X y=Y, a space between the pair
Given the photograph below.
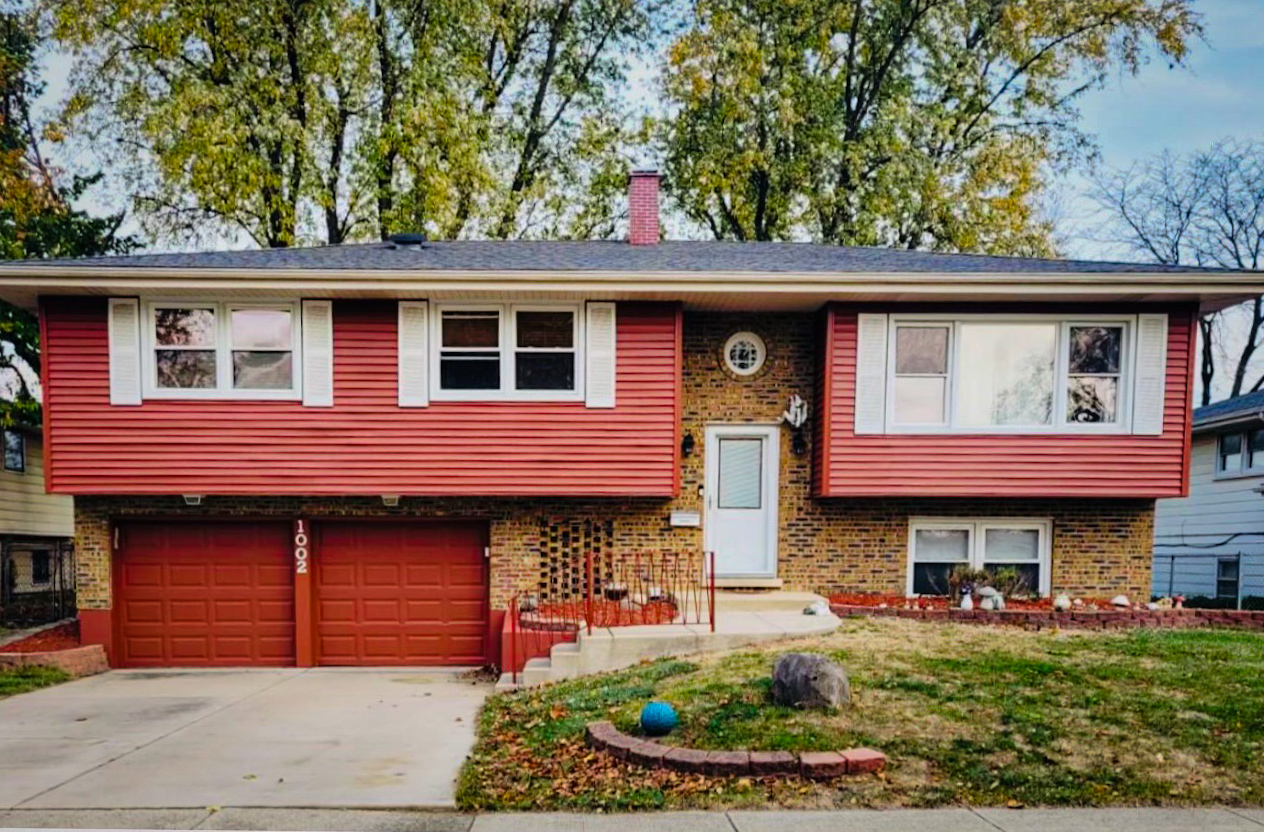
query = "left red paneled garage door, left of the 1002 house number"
x=205 y=595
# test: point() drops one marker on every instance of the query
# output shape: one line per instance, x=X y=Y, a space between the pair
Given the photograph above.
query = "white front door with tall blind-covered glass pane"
x=741 y=492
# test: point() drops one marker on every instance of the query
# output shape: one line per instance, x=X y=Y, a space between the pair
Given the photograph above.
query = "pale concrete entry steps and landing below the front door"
x=741 y=620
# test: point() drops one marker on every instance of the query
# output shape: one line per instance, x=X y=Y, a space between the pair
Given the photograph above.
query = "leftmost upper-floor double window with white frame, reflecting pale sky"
x=222 y=351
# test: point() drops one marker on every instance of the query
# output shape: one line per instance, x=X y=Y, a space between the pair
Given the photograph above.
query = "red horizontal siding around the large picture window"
x=999 y=466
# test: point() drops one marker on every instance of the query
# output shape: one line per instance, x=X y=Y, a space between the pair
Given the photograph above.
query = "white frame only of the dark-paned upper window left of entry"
x=509 y=336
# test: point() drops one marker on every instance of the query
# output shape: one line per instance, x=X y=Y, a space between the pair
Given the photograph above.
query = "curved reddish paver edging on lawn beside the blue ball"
x=817 y=766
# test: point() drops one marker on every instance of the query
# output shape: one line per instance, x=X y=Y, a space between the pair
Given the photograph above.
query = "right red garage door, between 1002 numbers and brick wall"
x=401 y=594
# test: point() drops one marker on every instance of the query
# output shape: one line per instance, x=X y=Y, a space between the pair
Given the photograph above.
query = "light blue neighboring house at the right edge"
x=1212 y=543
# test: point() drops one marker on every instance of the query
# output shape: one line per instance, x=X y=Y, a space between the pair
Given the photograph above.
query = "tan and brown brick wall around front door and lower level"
x=1100 y=547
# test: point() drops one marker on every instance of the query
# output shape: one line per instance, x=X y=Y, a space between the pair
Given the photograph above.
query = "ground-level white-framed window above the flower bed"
x=937 y=547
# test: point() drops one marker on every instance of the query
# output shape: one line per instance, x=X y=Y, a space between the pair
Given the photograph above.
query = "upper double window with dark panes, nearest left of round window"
x=507 y=351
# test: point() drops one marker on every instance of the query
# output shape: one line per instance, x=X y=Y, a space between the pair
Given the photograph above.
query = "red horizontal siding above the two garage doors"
x=366 y=444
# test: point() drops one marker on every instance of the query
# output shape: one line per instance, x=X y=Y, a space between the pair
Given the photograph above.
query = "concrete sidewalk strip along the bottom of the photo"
x=846 y=821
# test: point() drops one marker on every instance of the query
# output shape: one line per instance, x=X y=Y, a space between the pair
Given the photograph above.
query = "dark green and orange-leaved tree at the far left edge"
x=37 y=214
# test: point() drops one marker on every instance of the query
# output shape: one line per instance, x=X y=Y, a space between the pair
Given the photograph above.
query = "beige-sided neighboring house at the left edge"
x=36 y=528
